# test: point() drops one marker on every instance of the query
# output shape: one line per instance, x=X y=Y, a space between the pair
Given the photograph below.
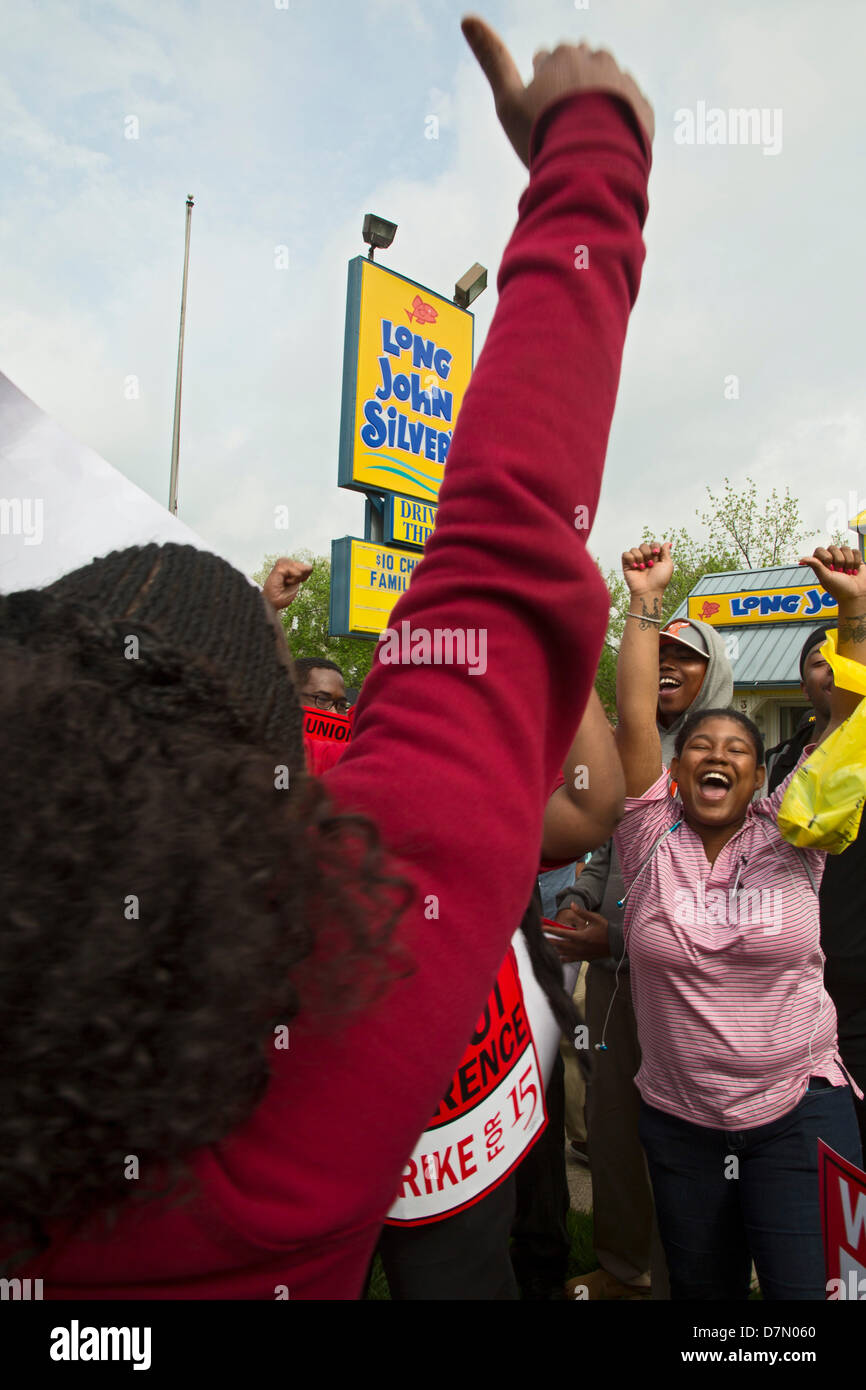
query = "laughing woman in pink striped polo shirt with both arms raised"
x=740 y=1070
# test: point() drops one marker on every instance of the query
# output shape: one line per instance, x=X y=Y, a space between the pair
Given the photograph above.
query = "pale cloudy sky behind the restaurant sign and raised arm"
x=288 y=120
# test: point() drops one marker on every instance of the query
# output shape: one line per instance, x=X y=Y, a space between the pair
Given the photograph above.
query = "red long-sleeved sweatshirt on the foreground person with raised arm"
x=454 y=768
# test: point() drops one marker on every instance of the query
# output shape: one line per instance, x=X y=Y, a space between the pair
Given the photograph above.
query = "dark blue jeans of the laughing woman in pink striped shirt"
x=726 y=1197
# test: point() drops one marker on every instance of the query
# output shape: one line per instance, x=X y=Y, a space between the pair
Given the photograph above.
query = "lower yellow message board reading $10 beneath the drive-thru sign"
x=366 y=583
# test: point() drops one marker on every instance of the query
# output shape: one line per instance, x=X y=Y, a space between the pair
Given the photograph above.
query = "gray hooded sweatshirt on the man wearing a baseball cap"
x=601 y=886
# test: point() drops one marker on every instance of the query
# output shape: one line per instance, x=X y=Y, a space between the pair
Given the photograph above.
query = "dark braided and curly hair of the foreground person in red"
x=173 y=888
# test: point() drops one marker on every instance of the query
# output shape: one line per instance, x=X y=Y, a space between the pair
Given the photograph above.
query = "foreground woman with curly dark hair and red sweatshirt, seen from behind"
x=190 y=1109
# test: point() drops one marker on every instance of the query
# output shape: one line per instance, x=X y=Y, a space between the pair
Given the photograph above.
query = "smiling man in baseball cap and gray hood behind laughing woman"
x=694 y=673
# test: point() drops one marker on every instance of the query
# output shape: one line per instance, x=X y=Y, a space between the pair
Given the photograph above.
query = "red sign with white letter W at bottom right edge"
x=843 y=1195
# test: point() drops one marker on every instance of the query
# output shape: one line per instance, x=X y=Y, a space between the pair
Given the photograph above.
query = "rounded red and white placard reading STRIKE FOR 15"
x=493 y=1113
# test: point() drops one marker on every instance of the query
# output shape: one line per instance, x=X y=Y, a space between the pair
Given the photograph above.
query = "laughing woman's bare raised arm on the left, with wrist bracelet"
x=647 y=571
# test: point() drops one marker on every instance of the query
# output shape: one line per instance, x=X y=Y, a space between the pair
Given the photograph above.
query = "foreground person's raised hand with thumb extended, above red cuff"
x=569 y=69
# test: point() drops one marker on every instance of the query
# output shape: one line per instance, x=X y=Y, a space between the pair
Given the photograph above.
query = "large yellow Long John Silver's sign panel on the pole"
x=407 y=365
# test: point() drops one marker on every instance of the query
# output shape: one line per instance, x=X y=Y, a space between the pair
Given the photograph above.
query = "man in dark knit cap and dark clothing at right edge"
x=843 y=893
